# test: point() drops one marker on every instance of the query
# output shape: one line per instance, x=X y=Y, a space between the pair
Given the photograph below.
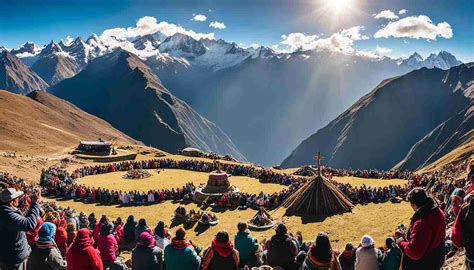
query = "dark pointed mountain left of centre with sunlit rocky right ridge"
x=121 y=89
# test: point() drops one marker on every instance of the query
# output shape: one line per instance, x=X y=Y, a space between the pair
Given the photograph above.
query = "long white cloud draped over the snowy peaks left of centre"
x=149 y=25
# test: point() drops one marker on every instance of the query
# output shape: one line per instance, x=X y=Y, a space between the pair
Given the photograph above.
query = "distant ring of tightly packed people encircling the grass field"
x=58 y=182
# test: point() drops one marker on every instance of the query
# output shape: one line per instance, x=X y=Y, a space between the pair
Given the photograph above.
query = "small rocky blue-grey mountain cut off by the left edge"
x=18 y=78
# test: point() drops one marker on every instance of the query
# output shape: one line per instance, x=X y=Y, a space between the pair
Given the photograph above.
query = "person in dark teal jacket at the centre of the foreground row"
x=247 y=246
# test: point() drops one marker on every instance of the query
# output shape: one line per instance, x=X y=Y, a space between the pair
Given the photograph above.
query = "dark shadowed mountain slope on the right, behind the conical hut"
x=427 y=111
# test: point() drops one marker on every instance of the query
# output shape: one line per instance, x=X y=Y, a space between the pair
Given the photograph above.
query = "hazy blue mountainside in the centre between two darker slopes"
x=270 y=104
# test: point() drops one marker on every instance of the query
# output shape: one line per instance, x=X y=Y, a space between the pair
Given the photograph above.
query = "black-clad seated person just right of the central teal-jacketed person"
x=281 y=249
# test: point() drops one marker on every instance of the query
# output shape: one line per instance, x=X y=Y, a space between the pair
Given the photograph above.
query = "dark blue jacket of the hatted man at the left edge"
x=14 y=247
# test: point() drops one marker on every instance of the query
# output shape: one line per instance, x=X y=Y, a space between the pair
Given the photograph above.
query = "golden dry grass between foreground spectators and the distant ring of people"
x=378 y=220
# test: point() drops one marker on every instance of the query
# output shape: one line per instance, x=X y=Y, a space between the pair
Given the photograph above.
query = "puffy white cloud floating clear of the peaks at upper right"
x=415 y=27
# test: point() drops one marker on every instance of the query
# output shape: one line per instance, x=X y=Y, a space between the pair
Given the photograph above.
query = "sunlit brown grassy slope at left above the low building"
x=41 y=123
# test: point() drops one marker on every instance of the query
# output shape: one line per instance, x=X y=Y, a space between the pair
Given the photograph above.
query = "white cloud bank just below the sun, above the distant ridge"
x=341 y=41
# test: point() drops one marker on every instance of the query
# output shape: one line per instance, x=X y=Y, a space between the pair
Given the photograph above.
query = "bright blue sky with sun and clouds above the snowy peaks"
x=259 y=22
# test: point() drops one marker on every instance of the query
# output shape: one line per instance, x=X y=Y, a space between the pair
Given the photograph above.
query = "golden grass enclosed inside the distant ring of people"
x=172 y=178
